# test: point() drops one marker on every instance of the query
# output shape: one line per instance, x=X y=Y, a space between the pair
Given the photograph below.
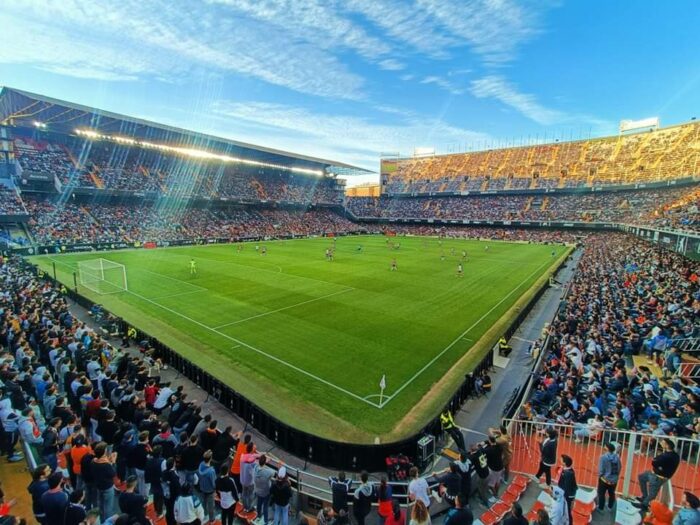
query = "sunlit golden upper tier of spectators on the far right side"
x=663 y=154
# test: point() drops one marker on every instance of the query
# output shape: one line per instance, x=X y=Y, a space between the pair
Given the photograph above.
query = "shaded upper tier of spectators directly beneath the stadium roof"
x=121 y=167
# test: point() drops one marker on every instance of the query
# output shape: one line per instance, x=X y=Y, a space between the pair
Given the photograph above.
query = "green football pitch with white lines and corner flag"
x=308 y=340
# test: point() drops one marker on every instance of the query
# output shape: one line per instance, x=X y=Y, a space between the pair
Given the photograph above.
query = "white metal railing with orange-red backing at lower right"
x=636 y=451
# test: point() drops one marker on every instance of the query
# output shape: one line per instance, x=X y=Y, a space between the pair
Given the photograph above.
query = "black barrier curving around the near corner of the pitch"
x=321 y=451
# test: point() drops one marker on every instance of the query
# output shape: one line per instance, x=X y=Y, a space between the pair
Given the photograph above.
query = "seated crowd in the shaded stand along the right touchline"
x=628 y=298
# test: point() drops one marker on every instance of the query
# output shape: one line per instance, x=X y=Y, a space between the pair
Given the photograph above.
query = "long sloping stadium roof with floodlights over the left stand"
x=21 y=108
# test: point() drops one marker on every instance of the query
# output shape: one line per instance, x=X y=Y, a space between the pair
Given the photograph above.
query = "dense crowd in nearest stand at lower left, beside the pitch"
x=113 y=442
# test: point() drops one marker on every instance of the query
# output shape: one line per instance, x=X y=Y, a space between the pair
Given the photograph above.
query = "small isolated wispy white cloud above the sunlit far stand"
x=500 y=89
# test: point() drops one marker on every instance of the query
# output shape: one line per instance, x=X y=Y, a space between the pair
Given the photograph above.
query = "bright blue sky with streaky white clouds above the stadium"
x=348 y=80
